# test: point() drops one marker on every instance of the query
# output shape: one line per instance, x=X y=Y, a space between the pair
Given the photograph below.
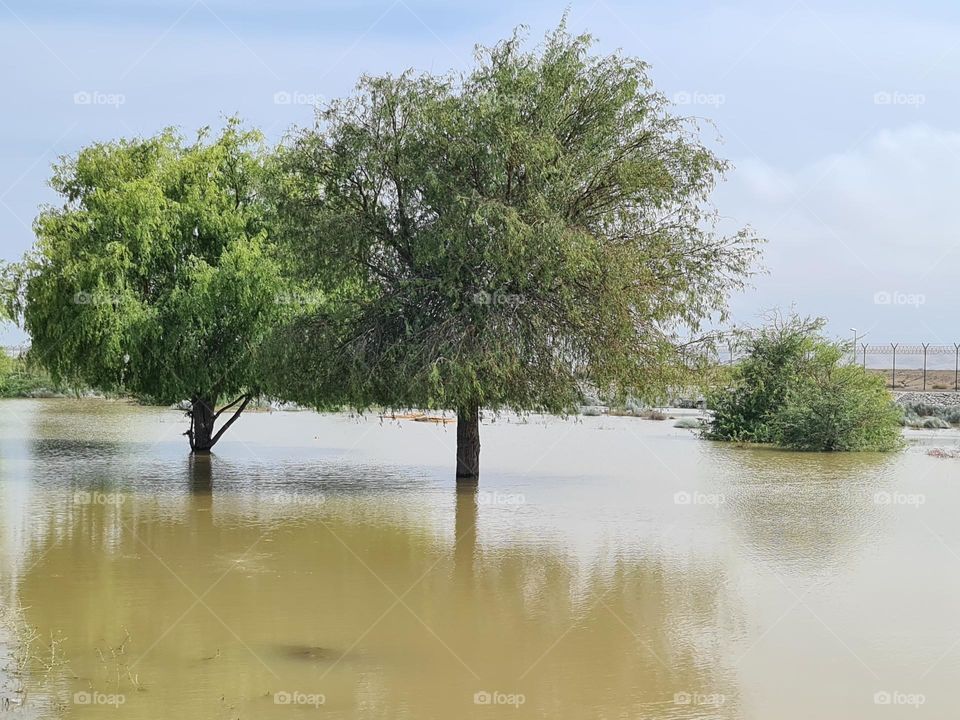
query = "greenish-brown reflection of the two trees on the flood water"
x=207 y=586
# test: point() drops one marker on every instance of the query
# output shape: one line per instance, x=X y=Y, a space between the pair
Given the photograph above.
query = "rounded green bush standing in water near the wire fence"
x=792 y=390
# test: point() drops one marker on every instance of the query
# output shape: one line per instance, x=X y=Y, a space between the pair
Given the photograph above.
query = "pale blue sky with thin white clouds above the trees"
x=839 y=118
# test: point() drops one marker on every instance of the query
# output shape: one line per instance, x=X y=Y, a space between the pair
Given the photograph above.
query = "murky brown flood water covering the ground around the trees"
x=604 y=568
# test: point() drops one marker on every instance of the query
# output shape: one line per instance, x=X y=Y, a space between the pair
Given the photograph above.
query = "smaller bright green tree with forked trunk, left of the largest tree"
x=156 y=276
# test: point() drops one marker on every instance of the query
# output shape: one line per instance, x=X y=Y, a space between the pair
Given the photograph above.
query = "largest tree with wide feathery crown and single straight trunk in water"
x=503 y=237
